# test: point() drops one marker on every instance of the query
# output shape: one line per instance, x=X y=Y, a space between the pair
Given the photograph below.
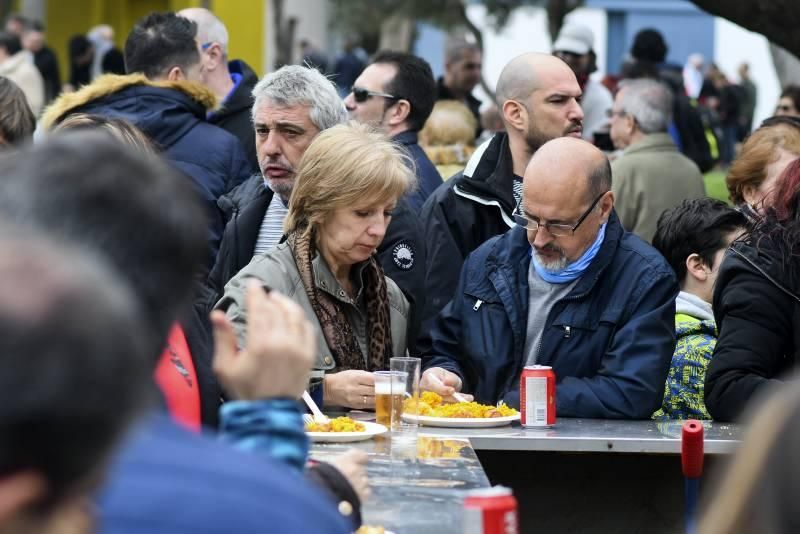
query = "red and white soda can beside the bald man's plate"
x=537 y=396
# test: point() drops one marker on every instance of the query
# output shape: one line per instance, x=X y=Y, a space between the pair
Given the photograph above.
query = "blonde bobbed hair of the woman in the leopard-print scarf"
x=346 y=166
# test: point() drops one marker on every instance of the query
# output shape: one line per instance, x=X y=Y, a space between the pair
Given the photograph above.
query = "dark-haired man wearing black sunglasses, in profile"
x=396 y=93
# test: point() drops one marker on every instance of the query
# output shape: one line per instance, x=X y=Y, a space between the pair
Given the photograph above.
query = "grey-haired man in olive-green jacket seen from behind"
x=651 y=175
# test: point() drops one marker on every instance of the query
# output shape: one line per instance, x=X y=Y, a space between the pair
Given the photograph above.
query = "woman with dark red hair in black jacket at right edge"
x=757 y=304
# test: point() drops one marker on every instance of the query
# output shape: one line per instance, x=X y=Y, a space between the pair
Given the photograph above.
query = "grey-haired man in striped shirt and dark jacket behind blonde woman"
x=291 y=106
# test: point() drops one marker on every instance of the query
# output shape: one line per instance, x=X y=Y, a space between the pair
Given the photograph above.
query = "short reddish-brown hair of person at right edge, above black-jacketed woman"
x=758 y=151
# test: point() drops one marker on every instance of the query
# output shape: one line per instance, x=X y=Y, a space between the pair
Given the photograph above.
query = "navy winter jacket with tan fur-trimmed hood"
x=173 y=115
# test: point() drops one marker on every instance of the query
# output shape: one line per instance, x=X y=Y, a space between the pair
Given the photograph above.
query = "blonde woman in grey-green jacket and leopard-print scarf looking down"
x=349 y=181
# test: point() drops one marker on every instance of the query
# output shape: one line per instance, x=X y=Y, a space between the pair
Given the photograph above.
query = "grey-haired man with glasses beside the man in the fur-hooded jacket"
x=232 y=81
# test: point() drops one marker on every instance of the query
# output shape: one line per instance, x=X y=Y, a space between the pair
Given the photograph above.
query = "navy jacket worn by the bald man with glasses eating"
x=609 y=341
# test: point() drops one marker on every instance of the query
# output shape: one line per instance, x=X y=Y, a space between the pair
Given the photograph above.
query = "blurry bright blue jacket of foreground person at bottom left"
x=166 y=479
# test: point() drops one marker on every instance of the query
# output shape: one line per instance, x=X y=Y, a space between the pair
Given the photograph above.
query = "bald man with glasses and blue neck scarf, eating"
x=568 y=287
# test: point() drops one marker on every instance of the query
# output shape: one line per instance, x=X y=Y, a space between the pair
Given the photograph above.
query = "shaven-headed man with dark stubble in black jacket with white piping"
x=539 y=100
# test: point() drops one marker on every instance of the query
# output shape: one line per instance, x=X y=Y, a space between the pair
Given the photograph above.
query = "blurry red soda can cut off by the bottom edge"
x=491 y=511
